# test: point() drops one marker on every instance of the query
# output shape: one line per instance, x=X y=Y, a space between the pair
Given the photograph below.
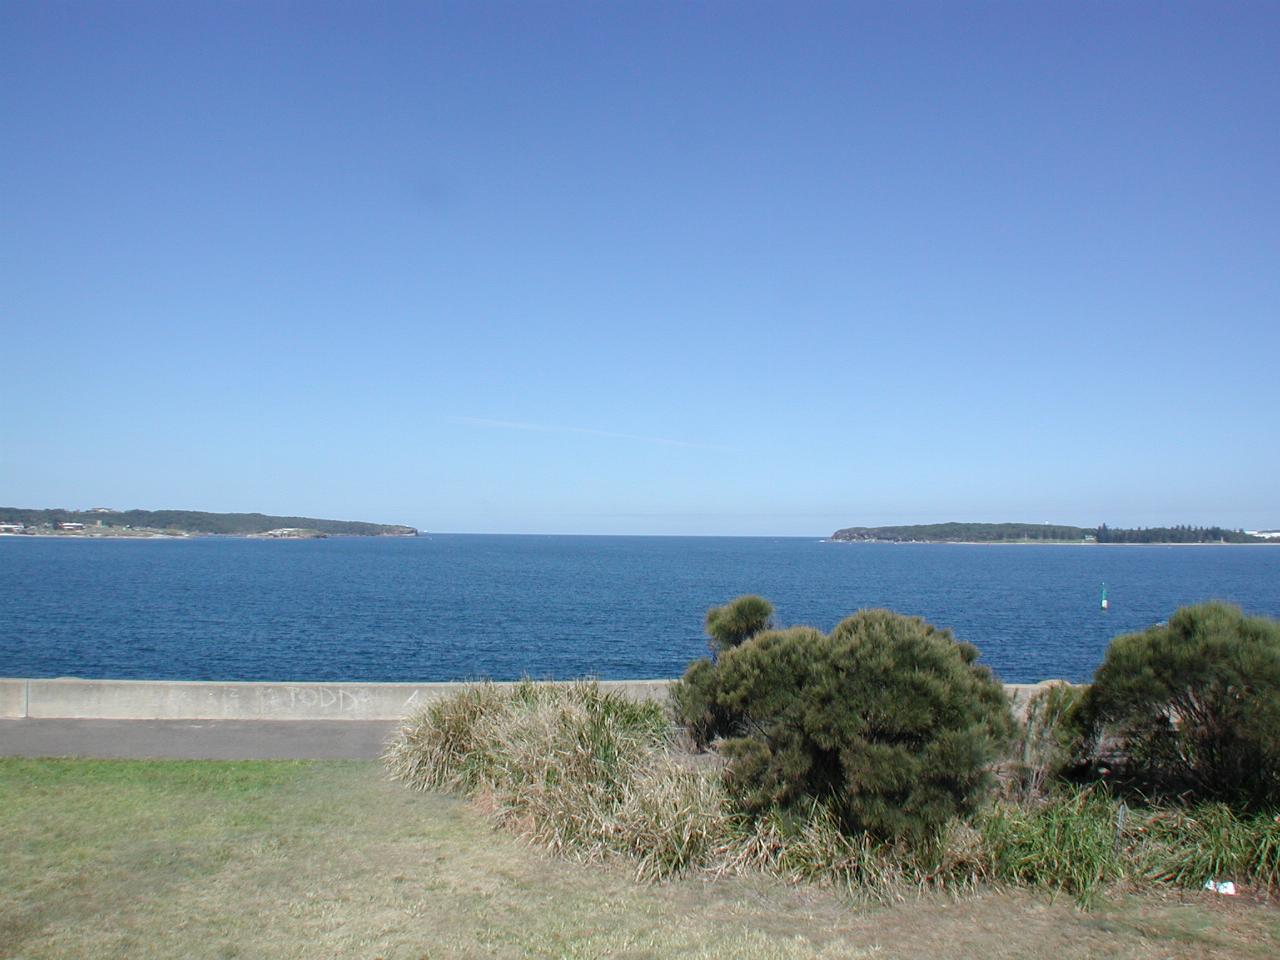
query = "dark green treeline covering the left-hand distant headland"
x=198 y=523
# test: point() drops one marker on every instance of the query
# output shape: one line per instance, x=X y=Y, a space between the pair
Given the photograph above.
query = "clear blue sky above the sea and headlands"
x=646 y=268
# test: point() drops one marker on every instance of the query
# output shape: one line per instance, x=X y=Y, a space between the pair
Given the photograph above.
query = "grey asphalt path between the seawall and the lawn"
x=196 y=740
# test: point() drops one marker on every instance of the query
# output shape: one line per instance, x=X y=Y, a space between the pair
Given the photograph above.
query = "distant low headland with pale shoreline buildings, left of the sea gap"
x=104 y=522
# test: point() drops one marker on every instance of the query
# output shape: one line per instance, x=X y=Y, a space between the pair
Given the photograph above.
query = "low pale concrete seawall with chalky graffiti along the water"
x=182 y=700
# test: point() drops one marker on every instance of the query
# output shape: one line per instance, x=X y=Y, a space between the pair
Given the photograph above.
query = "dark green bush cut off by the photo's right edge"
x=1196 y=705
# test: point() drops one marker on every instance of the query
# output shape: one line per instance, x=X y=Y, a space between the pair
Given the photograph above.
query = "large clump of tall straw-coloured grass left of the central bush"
x=577 y=770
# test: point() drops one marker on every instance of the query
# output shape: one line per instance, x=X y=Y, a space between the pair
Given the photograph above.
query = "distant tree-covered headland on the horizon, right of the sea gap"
x=1054 y=533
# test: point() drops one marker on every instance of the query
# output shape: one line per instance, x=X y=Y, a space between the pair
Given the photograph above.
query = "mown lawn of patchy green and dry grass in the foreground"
x=284 y=860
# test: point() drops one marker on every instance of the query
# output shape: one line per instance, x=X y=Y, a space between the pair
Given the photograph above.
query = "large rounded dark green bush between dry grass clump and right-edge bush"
x=886 y=720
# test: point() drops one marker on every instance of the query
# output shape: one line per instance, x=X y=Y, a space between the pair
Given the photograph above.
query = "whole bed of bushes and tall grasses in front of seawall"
x=881 y=761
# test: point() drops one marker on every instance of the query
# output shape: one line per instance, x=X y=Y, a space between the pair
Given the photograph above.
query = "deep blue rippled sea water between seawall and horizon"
x=460 y=607
